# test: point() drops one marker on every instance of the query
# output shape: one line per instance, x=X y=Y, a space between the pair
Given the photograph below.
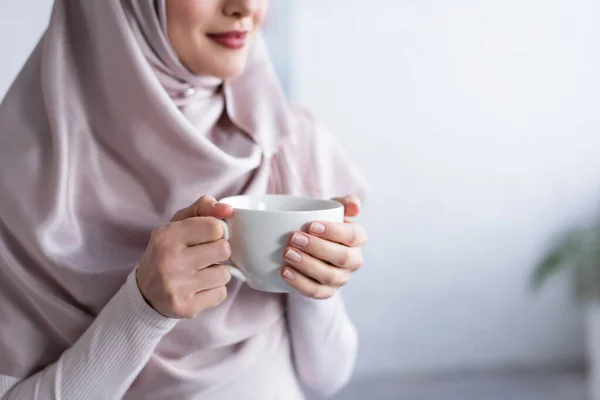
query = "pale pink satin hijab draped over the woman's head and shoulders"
x=99 y=144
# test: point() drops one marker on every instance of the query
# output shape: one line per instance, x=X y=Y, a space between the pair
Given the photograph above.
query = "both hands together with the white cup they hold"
x=182 y=271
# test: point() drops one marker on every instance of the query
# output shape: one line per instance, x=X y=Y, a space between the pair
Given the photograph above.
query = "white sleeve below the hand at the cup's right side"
x=324 y=342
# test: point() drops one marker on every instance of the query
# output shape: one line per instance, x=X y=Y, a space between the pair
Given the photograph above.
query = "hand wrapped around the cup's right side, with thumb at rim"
x=323 y=259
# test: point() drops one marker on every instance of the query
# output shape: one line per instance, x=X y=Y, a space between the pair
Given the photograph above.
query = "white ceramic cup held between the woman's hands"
x=259 y=231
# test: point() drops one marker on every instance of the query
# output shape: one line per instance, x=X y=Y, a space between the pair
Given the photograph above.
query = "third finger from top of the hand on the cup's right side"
x=318 y=270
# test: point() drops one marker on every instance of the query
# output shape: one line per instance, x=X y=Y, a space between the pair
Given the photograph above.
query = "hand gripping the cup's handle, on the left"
x=177 y=274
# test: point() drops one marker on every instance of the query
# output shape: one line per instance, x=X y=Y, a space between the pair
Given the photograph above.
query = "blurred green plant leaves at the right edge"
x=579 y=250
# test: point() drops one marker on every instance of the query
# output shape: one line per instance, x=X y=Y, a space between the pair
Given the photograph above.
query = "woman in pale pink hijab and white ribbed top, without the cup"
x=124 y=115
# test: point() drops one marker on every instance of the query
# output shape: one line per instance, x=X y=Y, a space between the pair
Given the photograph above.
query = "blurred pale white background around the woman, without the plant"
x=478 y=125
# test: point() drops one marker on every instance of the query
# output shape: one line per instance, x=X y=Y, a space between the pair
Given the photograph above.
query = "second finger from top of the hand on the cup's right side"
x=334 y=253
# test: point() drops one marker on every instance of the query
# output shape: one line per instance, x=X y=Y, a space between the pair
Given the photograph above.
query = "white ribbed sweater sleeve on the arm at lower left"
x=105 y=360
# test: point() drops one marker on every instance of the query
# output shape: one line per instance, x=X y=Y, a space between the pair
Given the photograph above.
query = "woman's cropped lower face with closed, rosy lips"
x=213 y=37
